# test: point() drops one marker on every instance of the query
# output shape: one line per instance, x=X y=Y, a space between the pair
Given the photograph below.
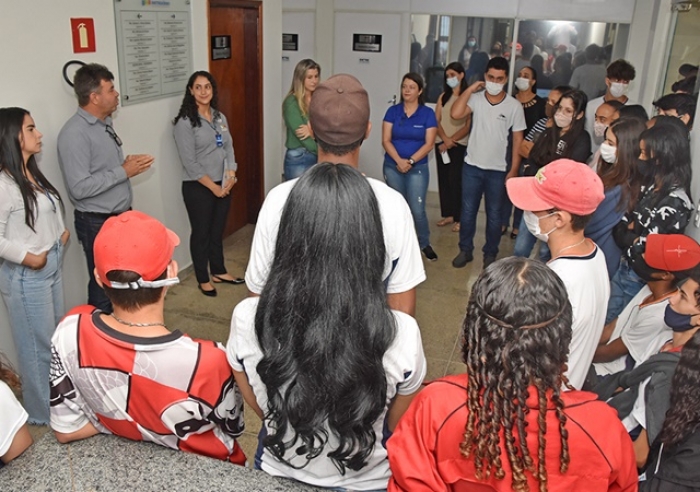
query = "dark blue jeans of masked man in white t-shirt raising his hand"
x=476 y=183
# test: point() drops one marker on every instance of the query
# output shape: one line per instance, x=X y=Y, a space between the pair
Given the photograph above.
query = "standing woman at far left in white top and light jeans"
x=32 y=238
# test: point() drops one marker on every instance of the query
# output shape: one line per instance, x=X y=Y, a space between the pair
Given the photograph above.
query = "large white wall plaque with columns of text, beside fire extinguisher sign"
x=154 y=48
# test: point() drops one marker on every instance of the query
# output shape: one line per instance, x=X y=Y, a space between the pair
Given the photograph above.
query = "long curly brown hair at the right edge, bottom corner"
x=683 y=416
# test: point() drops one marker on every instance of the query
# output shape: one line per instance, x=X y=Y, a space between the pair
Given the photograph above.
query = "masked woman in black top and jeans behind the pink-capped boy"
x=566 y=138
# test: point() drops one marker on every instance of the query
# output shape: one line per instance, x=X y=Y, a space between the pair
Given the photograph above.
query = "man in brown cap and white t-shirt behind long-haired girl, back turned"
x=339 y=117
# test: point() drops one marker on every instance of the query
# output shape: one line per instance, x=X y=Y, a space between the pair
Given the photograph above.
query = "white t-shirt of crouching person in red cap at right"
x=642 y=330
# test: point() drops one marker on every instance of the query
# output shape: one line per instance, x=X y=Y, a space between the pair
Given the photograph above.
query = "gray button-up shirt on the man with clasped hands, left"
x=91 y=163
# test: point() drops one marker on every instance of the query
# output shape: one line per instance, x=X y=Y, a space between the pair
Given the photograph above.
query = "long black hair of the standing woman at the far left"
x=12 y=162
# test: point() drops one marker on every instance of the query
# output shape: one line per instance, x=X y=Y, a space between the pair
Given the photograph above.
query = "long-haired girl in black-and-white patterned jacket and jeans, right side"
x=664 y=206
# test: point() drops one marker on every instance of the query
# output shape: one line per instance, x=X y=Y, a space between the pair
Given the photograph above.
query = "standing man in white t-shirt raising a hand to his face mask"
x=495 y=116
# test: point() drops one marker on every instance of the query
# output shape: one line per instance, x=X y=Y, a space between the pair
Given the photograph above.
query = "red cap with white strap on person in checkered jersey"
x=135 y=242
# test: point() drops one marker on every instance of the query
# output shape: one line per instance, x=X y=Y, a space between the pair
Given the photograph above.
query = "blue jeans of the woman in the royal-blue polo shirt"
x=413 y=185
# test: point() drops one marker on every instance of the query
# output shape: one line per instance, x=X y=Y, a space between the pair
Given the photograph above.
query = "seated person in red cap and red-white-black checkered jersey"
x=126 y=373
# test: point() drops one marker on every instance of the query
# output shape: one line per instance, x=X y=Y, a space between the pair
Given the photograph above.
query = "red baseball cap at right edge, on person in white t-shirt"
x=671 y=252
